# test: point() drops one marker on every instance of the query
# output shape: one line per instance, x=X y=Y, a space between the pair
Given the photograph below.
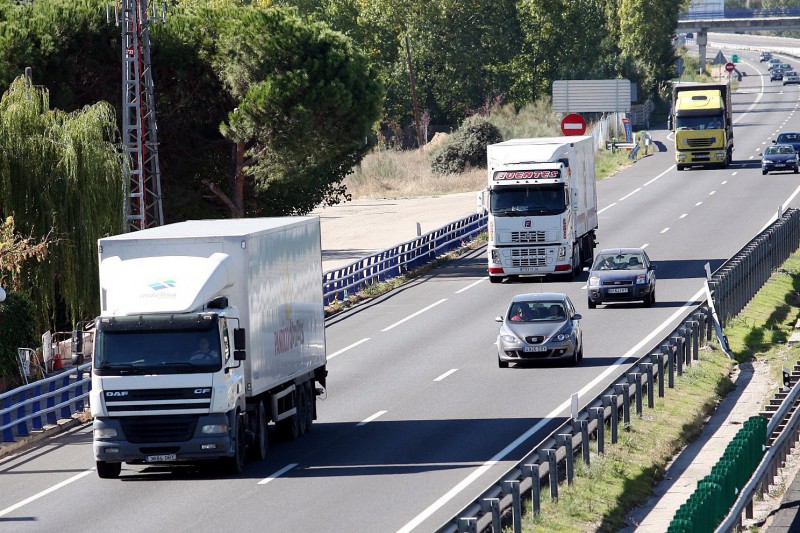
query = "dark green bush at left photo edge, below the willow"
x=17 y=330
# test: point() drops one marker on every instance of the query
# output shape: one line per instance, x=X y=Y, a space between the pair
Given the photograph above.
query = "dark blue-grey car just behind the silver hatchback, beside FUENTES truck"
x=622 y=275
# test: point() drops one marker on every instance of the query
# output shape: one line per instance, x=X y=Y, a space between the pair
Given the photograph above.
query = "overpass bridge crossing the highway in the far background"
x=736 y=21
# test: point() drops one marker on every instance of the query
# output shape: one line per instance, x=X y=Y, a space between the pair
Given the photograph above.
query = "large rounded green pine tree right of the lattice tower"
x=305 y=102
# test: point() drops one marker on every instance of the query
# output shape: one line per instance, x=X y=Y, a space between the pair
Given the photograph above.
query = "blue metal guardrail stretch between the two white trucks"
x=338 y=283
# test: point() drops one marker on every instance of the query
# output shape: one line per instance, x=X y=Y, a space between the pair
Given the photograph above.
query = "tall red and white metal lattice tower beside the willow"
x=143 y=208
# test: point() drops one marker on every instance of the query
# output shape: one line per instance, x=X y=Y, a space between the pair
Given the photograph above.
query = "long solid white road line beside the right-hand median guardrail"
x=475 y=474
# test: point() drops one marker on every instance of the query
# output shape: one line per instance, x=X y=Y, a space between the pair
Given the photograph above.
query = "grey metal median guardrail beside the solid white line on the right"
x=731 y=291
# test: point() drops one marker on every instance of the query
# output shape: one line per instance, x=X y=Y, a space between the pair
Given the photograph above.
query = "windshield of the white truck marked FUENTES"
x=530 y=200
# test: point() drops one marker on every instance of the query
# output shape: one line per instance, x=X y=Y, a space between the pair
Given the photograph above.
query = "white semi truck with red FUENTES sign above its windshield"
x=541 y=201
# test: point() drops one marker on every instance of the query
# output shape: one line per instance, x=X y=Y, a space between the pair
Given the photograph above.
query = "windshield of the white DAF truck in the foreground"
x=156 y=351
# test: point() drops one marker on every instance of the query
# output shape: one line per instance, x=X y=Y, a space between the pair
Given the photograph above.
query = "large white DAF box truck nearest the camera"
x=208 y=331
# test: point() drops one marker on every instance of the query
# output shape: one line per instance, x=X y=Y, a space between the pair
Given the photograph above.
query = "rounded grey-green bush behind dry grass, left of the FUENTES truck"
x=467 y=146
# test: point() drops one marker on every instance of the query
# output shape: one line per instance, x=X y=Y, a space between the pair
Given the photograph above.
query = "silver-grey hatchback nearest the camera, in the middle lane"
x=540 y=327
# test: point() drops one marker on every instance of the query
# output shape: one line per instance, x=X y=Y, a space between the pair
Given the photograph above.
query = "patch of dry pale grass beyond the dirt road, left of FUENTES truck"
x=389 y=173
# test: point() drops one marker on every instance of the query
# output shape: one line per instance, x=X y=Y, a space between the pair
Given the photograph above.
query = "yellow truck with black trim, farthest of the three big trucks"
x=702 y=119
